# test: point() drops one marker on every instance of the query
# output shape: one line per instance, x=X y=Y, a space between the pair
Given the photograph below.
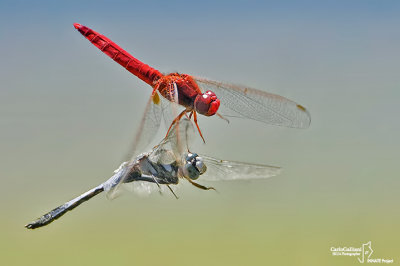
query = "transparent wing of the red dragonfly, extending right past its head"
x=257 y=105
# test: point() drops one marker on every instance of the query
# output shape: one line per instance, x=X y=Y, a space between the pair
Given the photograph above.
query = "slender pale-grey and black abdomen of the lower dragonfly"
x=61 y=210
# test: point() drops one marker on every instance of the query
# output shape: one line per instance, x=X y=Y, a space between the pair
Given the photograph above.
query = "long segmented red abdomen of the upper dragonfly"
x=133 y=65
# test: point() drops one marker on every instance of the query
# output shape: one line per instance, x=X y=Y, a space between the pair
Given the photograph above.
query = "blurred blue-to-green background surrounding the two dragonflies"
x=68 y=114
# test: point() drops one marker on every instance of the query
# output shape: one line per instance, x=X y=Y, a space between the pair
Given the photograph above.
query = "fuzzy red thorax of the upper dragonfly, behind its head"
x=183 y=84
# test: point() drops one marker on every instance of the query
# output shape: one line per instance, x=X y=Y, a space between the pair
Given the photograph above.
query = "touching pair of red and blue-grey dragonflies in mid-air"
x=171 y=160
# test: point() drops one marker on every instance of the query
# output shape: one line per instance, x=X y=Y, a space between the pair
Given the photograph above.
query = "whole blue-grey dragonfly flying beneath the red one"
x=164 y=166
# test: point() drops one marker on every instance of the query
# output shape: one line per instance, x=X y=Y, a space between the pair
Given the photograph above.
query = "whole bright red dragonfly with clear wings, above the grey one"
x=197 y=95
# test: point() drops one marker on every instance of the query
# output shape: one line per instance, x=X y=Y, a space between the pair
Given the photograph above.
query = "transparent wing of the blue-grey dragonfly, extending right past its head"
x=219 y=170
